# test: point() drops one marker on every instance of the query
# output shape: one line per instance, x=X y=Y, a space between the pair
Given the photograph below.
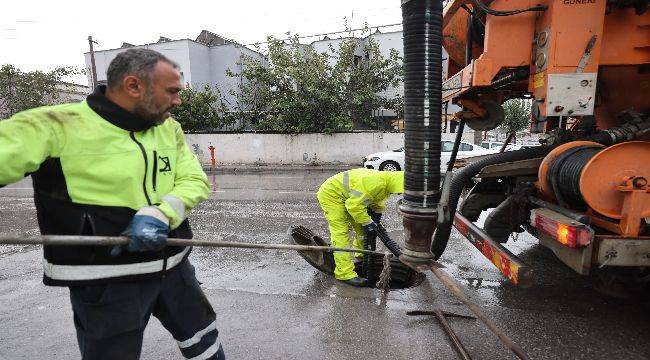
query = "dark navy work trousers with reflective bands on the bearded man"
x=110 y=319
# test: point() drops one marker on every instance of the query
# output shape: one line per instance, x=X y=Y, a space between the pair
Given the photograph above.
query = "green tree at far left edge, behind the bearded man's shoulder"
x=26 y=90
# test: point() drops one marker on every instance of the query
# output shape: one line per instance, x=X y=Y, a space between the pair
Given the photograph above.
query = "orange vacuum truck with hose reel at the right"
x=585 y=65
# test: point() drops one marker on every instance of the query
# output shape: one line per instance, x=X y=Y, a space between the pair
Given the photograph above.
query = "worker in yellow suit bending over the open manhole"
x=356 y=197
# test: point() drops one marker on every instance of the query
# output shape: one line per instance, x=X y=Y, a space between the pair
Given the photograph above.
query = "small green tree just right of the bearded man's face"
x=202 y=110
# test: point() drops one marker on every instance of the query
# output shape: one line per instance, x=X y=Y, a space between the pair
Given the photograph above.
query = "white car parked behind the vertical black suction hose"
x=394 y=160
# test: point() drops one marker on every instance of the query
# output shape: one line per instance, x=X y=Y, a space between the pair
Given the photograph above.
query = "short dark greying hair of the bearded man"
x=136 y=61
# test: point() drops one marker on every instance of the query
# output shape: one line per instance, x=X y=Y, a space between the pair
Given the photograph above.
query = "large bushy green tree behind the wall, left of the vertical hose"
x=301 y=90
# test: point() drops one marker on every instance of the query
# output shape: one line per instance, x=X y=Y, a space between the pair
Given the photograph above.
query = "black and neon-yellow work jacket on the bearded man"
x=93 y=165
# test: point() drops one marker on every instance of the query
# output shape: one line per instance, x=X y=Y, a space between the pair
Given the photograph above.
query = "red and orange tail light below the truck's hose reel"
x=563 y=229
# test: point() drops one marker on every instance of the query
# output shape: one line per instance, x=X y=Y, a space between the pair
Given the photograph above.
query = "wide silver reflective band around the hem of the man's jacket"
x=94 y=272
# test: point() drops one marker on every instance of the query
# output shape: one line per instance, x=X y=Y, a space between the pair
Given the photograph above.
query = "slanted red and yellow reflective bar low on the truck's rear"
x=508 y=263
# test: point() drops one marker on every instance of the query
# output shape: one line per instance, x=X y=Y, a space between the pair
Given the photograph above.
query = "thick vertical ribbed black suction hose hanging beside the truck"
x=422 y=23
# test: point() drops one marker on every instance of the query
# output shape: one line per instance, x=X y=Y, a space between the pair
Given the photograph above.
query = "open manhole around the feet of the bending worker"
x=401 y=276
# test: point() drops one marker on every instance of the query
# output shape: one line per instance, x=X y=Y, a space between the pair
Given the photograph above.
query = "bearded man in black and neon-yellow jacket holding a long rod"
x=118 y=164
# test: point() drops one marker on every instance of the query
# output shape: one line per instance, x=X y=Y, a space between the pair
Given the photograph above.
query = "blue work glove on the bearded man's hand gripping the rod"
x=147 y=231
